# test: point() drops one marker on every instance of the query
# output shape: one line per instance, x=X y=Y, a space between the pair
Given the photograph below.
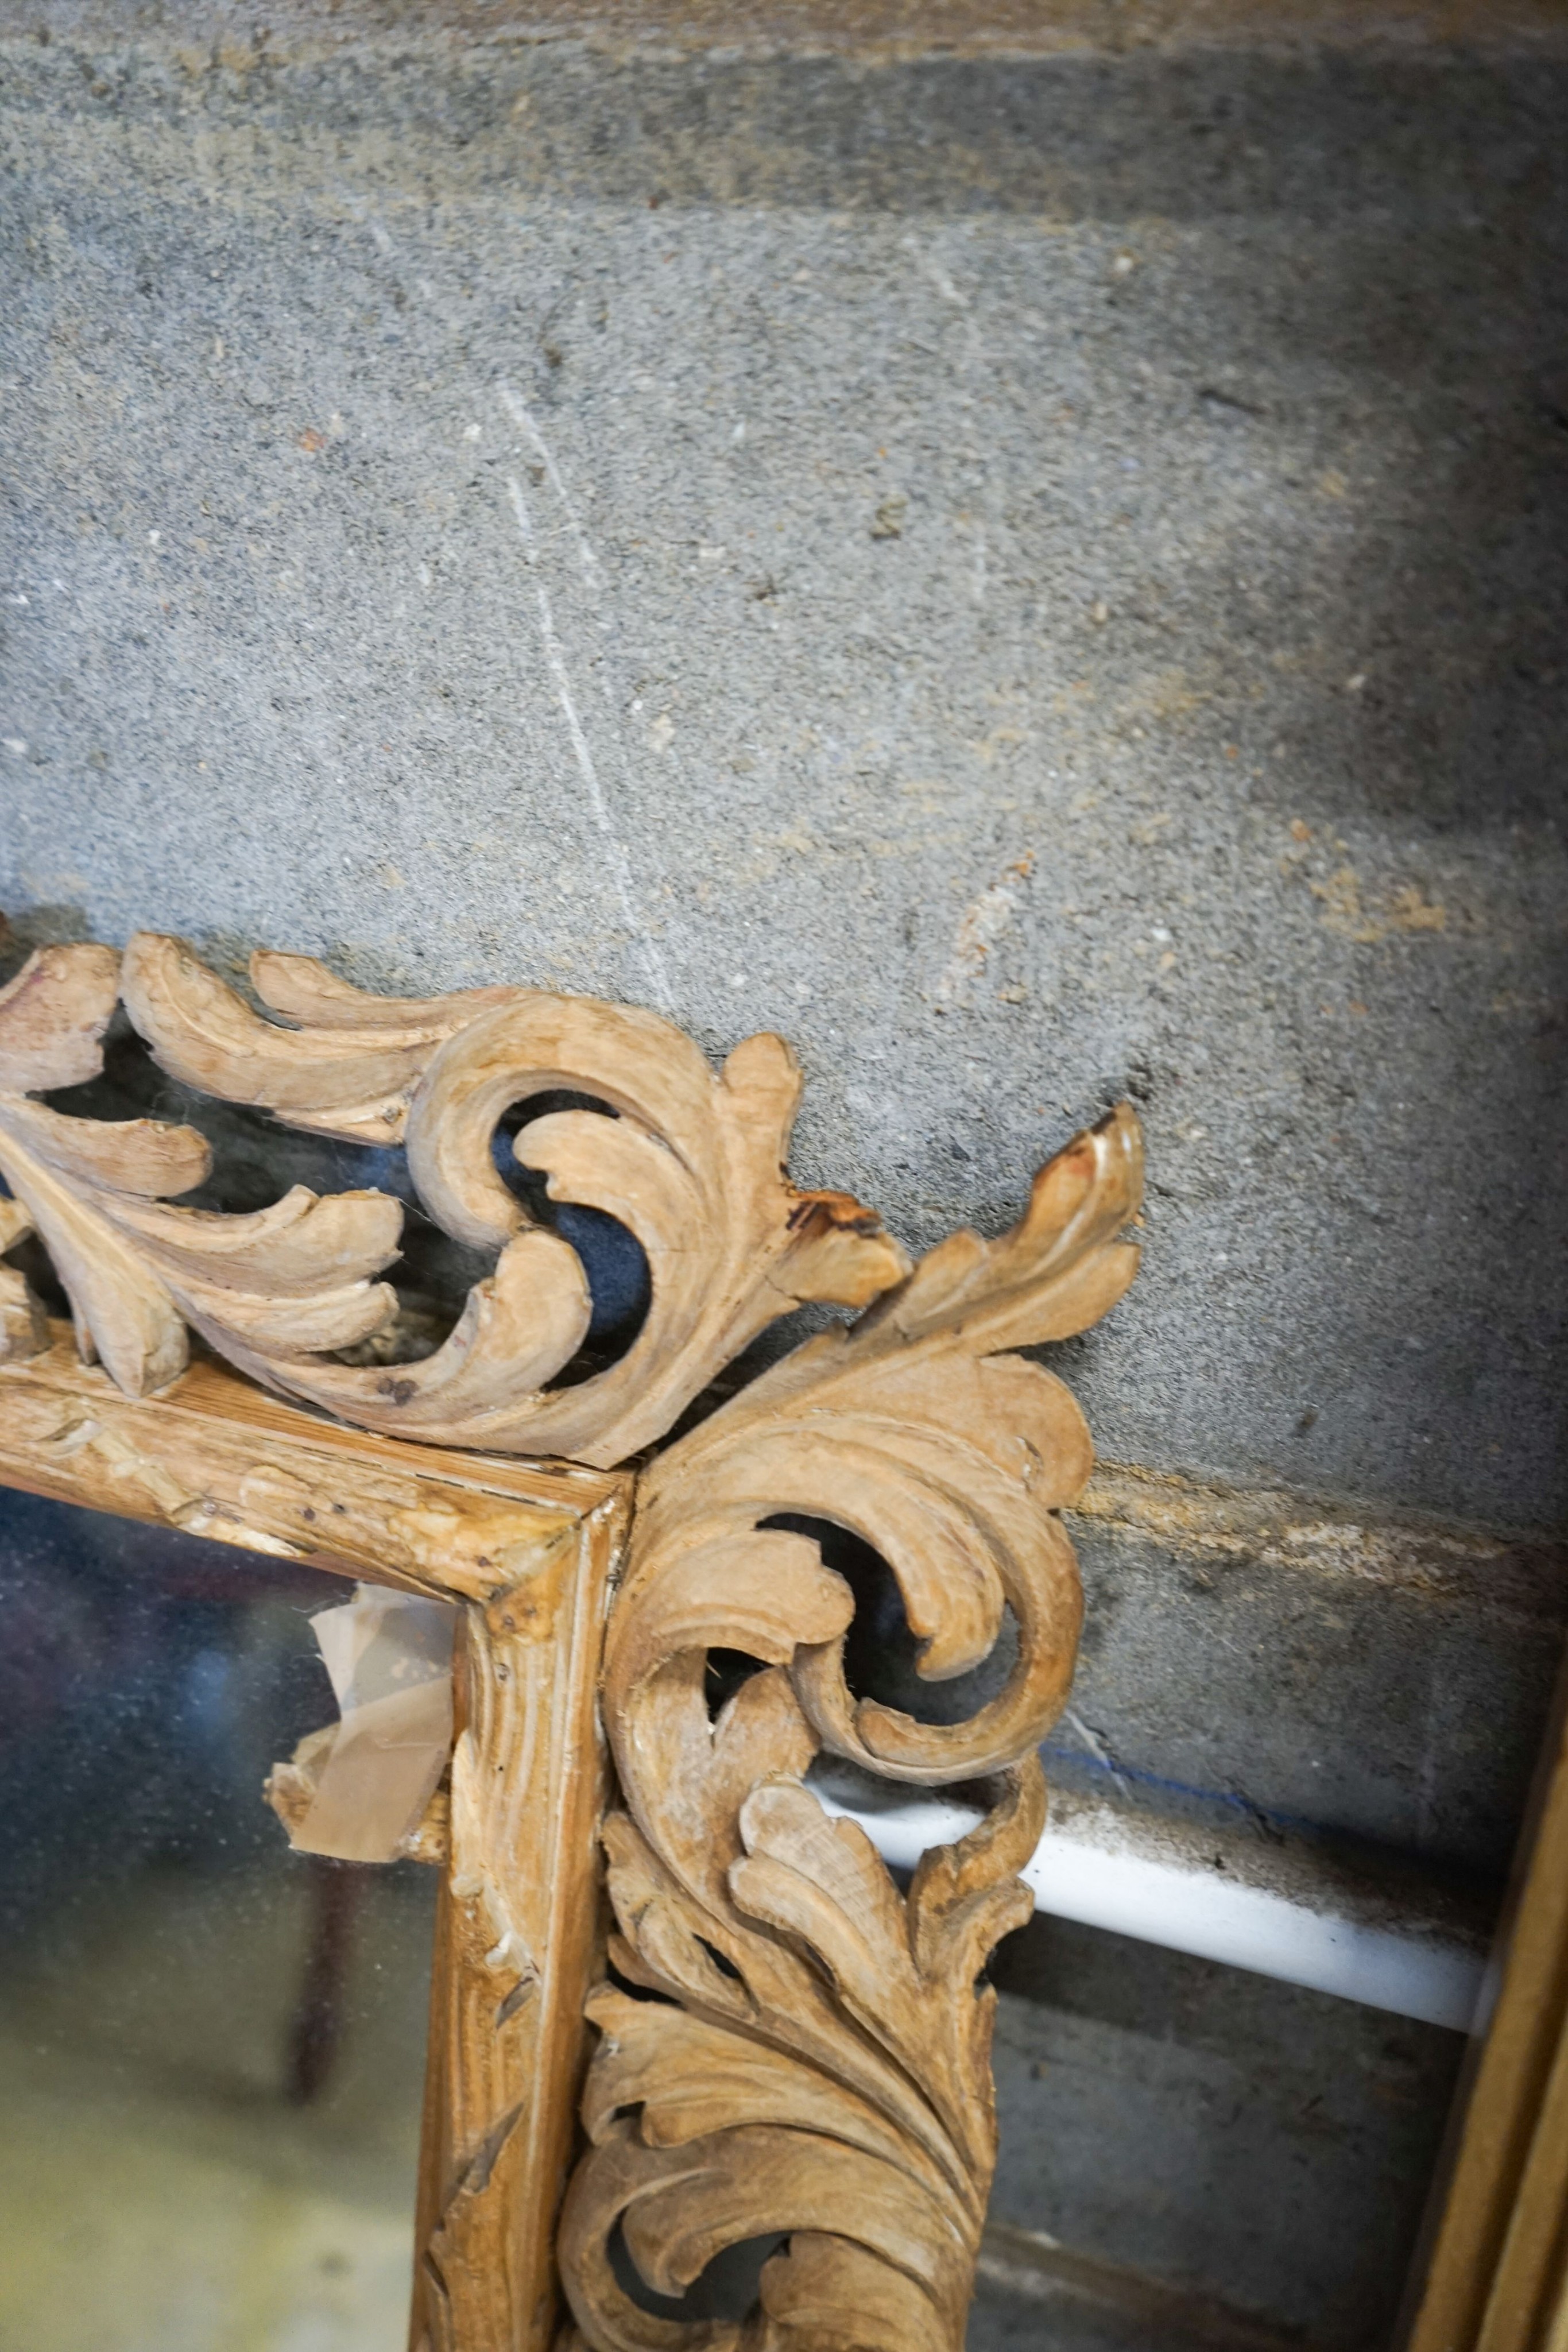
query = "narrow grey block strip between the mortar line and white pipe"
x=1343 y=1709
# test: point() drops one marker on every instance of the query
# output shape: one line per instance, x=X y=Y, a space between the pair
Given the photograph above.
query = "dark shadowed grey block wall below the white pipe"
x=1249 y=2141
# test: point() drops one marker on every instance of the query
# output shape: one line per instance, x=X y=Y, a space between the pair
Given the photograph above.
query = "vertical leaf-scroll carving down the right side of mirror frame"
x=817 y=2052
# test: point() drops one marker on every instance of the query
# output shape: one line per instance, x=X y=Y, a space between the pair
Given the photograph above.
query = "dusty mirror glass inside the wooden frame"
x=210 y=2045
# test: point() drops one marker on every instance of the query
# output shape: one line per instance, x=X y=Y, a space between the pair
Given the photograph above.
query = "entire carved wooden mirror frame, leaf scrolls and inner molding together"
x=775 y=2038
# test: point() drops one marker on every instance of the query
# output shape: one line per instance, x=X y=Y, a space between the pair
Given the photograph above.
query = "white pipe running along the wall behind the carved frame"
x=1200 y=1911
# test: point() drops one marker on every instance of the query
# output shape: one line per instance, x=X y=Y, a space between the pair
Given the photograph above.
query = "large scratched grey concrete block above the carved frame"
x=1036 y=580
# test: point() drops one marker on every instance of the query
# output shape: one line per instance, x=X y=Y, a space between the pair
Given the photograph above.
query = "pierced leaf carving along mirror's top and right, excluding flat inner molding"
x=793 y=2043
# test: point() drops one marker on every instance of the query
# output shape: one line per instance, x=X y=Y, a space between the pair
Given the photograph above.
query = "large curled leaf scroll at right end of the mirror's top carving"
x=690 y=1165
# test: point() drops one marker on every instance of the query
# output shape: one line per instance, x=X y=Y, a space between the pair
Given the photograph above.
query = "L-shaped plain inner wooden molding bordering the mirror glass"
x=525 y=1553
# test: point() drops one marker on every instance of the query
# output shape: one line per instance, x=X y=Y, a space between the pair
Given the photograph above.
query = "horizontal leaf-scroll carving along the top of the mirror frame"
x=688 y=1161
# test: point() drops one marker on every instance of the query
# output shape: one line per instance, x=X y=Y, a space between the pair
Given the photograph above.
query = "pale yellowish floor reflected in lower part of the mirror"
x=161 y=2193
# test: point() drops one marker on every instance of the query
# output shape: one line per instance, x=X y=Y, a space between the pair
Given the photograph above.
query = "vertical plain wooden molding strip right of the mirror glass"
x=516 y=1953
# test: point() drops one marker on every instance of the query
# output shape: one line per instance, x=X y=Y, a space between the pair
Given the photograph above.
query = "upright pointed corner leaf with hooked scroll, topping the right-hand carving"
x=949 y=1459
